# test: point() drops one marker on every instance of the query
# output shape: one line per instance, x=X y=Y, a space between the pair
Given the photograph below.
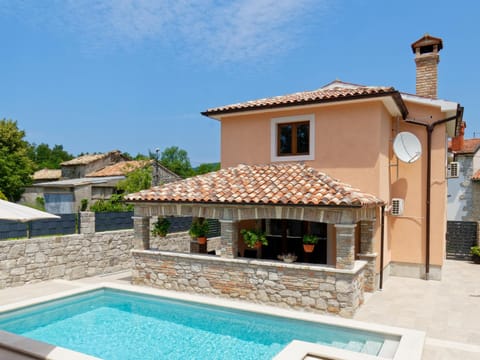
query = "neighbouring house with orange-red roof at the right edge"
x=464 y=179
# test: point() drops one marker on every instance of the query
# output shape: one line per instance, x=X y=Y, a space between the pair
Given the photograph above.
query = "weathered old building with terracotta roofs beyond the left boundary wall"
x=91 y=177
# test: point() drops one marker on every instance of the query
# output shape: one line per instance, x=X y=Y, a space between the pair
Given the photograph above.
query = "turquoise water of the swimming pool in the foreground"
x=113 y=324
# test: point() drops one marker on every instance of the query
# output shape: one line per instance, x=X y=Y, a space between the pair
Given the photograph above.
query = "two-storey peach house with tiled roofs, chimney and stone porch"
x=281 y=158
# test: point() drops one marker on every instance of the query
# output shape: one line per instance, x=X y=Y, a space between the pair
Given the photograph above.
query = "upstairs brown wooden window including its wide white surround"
x=292 y=138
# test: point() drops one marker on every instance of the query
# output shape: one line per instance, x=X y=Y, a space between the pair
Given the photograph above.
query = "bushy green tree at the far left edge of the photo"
x=16 y=167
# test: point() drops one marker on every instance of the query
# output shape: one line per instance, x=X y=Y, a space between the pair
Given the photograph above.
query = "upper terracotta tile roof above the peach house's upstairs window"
x=335 y=91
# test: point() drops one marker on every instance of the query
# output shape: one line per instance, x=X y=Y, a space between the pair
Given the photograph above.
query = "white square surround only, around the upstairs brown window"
x=291 y=119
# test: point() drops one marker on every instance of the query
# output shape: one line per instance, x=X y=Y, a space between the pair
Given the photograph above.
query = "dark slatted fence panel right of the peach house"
x=461 y=236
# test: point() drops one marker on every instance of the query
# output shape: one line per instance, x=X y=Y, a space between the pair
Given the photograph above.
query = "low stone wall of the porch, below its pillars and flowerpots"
x=298 y=286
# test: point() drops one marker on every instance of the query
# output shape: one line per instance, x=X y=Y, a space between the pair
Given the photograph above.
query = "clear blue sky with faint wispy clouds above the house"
x=95 y=76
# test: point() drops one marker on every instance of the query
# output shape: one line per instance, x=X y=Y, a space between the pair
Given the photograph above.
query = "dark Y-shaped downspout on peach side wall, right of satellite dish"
x=430 y=128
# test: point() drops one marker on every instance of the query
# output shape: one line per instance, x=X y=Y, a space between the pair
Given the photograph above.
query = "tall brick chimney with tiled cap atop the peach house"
x=426 y=57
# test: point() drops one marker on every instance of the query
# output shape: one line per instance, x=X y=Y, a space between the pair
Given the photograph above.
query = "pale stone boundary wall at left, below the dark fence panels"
x=64 y=257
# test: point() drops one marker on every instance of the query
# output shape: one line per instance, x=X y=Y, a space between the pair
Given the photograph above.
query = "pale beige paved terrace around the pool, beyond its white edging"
x=448 y=310
